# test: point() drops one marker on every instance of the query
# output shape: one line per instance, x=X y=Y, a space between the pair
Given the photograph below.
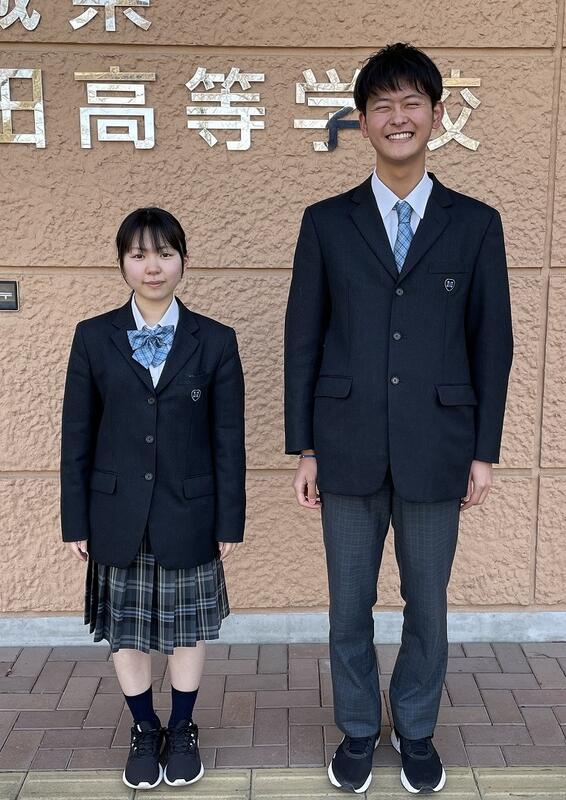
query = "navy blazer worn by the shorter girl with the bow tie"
x=168 y=459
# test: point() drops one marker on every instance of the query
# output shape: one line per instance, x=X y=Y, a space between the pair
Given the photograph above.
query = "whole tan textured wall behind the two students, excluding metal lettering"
x=241 y=210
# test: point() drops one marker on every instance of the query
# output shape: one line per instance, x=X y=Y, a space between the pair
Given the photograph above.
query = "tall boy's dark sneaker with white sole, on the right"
x=422 y=768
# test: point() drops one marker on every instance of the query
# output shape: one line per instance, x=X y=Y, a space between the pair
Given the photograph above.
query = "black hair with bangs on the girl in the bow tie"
x=161 y=227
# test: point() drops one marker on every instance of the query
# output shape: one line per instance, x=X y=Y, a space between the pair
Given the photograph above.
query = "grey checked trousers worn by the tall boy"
x=425 y=542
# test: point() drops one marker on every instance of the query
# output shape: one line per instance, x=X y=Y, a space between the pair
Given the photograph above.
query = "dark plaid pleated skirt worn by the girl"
x=147 y=607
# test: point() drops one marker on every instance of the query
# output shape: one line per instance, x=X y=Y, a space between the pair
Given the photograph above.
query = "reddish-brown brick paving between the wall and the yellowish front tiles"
x=271 y=706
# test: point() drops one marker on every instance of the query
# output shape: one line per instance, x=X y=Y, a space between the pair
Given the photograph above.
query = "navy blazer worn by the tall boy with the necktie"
x=404 y=371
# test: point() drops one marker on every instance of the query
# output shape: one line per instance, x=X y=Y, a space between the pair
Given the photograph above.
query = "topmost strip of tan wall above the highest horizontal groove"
x=296 y=24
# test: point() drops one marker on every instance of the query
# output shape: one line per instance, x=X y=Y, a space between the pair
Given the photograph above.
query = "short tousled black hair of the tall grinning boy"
x=393 y=67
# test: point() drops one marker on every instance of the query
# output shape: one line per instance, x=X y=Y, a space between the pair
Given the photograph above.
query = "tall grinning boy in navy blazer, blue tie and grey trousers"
x=398 y=351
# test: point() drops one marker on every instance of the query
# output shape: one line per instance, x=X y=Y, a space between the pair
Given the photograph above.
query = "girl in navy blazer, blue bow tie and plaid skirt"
x=152 y=486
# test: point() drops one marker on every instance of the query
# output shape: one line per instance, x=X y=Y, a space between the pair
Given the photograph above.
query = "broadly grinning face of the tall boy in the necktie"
x=399 y=123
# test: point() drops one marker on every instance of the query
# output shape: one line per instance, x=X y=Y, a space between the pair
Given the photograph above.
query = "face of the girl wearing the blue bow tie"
x=152 y=270
